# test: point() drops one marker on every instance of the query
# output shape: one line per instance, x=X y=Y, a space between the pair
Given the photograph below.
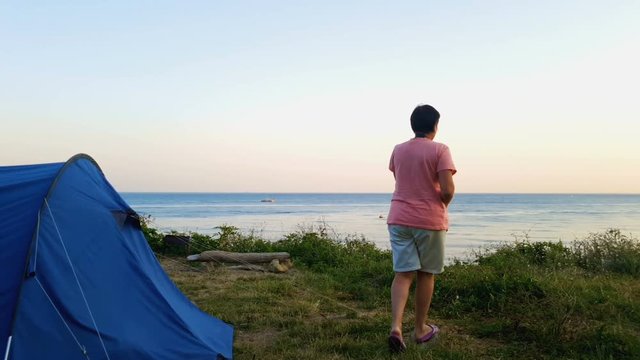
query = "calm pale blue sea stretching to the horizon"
x=477 y=220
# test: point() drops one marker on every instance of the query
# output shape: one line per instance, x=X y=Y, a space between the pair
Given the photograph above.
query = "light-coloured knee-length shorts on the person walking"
x=417 y=249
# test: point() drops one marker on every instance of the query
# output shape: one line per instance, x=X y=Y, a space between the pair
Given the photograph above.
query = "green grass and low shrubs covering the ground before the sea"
x=523 y=300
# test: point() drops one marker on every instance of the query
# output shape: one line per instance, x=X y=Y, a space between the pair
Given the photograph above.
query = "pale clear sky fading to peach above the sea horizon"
x=301 y=96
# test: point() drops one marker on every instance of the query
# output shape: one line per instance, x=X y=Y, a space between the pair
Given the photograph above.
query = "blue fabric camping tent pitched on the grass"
x=78 y=279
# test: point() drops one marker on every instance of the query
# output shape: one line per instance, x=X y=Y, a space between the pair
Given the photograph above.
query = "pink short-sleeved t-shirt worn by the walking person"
x=416 y=200
